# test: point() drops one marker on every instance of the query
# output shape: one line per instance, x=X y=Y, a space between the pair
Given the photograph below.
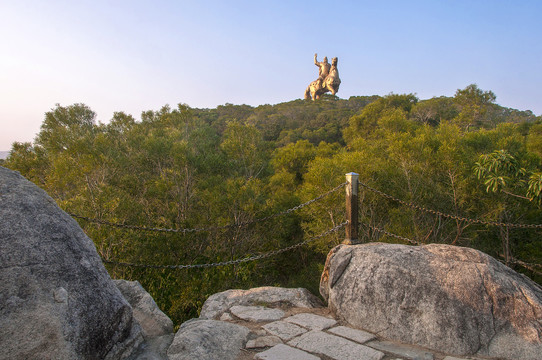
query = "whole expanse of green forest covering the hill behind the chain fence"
x=217 y=170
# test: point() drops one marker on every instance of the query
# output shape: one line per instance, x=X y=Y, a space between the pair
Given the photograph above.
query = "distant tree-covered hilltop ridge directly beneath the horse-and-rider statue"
x=324 y=120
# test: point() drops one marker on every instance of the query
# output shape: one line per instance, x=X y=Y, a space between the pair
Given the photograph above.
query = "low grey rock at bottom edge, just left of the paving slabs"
x=208 y=340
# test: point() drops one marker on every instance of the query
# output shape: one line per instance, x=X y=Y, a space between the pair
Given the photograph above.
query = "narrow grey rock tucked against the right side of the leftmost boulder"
x=157 y=327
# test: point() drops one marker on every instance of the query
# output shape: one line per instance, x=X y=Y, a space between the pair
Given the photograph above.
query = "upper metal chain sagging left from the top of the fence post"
x=211 y=228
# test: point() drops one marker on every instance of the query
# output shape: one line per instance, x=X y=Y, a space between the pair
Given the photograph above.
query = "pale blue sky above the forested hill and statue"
x=134 y=55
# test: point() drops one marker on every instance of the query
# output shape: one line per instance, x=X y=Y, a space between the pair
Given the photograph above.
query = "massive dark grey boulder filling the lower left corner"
x=57 y=301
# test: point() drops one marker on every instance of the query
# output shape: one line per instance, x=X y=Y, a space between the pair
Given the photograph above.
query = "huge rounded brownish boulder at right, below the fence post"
x=451 y=299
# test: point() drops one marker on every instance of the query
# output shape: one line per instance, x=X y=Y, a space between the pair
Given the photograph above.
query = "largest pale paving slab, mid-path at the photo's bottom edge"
x=335 y=347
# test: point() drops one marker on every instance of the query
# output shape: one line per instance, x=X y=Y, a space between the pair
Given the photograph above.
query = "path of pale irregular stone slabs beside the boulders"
x=313 y=334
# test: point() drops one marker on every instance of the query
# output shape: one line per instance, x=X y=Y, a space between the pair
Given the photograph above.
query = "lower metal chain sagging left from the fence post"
x=230 y=262
